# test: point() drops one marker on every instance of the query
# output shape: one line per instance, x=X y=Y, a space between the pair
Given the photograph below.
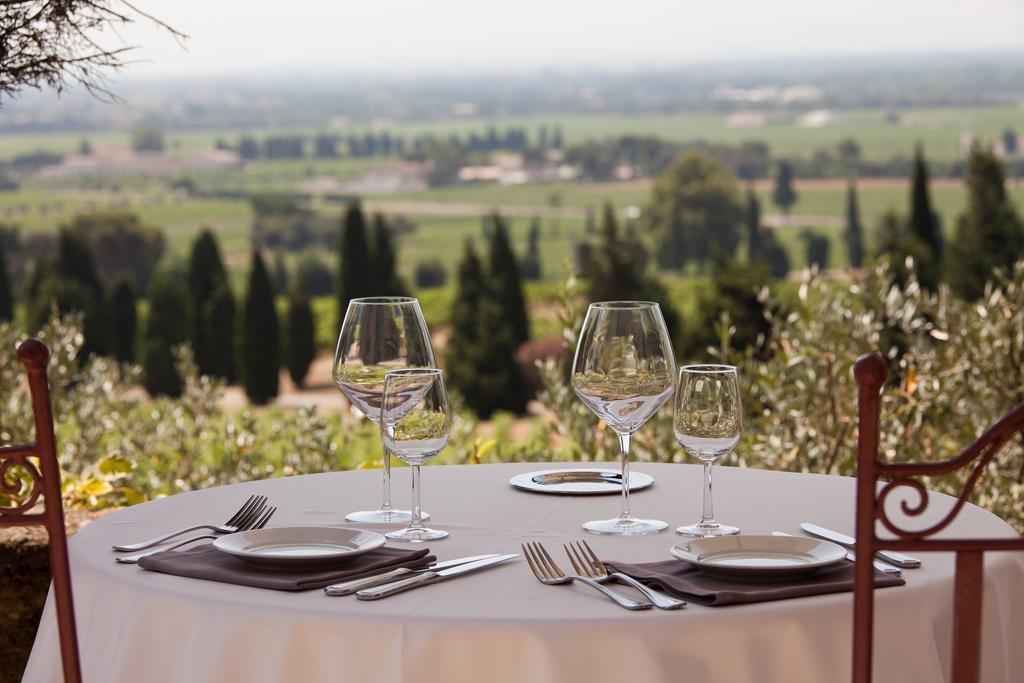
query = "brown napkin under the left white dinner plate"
x=211 y=565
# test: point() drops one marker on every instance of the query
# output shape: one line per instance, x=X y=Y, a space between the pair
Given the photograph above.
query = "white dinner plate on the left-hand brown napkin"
x=290 y=547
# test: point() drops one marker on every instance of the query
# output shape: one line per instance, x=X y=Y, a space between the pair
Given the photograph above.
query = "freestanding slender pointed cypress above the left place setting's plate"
x=261 y=346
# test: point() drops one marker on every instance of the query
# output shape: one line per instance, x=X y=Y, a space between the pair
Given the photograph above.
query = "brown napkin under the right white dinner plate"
x=687 y=581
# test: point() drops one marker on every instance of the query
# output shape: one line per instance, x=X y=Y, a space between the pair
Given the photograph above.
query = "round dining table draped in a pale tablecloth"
x=501 y=624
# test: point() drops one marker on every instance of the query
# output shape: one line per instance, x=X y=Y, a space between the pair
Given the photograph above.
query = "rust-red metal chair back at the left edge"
x=22 y=481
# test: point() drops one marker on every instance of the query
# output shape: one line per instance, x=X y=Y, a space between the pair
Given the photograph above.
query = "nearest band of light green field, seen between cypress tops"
x=438 y=236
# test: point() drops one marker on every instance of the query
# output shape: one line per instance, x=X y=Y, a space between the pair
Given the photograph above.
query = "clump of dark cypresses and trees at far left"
x=192 y=306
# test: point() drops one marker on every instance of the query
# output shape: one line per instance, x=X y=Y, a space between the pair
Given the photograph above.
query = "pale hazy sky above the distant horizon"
x=418 y=36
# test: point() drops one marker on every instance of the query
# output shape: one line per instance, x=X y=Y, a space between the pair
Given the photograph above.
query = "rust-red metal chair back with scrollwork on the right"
x=872 y=372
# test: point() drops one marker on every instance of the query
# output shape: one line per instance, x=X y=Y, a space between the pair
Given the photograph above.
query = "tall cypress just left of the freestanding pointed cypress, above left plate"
x=206 y=274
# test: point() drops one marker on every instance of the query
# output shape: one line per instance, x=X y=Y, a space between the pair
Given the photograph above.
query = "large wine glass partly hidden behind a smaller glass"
x=379 y=334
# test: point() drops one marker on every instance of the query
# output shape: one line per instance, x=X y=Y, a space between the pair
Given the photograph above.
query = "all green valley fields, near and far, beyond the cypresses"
x=447 y=217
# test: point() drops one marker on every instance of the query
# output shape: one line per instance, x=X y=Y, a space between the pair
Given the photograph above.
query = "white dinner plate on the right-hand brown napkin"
x=760 y=557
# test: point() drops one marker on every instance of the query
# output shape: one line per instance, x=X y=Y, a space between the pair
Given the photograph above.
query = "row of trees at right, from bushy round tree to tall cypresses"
x=695 y=215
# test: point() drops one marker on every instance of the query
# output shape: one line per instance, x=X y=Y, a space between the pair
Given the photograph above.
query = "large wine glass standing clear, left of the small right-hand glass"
x=624 y=371
